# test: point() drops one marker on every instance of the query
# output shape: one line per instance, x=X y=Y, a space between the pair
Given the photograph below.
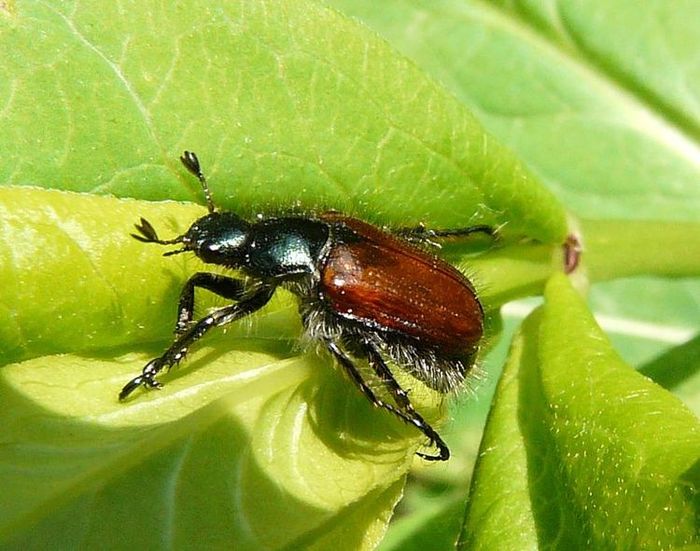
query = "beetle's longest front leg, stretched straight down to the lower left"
x=176 y=352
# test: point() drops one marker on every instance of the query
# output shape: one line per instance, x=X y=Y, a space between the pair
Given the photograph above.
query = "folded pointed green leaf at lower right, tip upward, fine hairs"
x=580 y=450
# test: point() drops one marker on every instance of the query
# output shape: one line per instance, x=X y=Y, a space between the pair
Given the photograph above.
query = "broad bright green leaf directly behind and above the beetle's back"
x=285 y=104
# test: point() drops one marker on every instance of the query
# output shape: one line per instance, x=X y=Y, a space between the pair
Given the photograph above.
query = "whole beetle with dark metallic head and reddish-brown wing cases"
x=365 y=293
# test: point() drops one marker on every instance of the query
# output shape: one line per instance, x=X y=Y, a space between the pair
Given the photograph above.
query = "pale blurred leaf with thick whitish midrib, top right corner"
x=600 y=99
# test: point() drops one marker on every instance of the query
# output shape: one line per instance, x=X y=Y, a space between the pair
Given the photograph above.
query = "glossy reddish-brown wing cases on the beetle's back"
x=390 y=285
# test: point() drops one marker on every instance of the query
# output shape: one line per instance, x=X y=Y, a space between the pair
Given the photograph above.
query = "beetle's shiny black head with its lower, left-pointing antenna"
x=217 y=238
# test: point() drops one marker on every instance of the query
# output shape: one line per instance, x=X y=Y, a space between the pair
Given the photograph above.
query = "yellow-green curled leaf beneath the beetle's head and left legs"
x=278 y=426
